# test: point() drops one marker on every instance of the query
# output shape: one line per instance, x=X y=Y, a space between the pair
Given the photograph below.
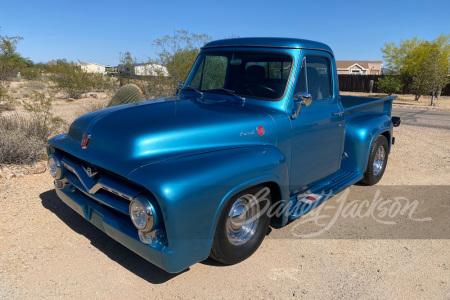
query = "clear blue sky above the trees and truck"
x=96 y=31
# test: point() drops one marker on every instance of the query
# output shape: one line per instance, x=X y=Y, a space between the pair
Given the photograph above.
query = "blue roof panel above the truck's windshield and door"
x=267 y=42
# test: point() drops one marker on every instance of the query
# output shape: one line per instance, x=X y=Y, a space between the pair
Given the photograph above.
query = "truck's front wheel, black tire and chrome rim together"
x=242 y=226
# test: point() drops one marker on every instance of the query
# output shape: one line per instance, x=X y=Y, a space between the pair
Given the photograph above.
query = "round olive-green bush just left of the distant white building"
x=70 y=79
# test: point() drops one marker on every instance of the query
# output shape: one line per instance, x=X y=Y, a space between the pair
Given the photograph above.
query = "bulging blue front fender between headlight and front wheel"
x=192 y=191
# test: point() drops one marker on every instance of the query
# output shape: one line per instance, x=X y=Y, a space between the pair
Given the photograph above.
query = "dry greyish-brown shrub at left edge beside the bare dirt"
x=19 y=139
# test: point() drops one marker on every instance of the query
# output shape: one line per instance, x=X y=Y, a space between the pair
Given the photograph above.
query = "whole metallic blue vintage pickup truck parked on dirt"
x=257 y=134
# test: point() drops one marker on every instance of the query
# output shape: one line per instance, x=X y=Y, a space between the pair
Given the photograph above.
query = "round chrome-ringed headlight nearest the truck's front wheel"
x=142 y=214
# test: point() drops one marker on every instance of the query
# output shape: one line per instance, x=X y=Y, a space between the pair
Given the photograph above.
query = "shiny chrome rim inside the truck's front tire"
x=242 y=219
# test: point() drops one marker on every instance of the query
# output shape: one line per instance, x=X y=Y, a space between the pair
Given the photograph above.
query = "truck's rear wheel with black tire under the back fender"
x=378 y=157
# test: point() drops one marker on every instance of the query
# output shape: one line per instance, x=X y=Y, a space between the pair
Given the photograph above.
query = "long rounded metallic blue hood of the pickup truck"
x=126 y=137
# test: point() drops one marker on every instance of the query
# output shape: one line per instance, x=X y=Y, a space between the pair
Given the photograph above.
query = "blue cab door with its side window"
x=317 y=132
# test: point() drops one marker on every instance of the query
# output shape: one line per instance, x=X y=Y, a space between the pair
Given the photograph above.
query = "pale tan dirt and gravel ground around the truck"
x=48 y=251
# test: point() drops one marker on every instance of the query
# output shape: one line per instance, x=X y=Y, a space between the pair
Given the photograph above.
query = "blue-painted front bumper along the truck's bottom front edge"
x=116 y=226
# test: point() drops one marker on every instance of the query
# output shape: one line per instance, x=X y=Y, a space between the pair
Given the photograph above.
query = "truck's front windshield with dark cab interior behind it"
x=243 y=73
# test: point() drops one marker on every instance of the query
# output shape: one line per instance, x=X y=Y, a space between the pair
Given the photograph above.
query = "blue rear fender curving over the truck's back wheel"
x=359 y=135
